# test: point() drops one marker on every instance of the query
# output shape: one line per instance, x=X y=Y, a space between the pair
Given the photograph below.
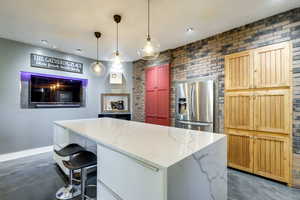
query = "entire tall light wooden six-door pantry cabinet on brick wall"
x=258 y=111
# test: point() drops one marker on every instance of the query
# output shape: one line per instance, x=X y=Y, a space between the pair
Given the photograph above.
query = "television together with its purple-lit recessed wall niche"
x=46 y=91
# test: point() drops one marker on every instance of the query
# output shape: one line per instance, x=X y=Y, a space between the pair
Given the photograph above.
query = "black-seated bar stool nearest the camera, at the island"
x=82 y=161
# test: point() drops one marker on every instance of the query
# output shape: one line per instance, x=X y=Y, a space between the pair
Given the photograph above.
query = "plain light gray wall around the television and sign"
x=22 y=129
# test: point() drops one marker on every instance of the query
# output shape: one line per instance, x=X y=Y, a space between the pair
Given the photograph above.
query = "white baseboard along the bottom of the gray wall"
x=25 y=153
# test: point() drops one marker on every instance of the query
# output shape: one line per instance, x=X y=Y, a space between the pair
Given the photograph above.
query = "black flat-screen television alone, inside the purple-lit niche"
x=55 y=92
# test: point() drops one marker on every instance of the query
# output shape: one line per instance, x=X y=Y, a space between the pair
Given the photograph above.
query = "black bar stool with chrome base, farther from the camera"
x=70 y=190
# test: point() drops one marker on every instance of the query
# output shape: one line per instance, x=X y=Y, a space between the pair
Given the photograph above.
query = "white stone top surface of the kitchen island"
x=160 y=146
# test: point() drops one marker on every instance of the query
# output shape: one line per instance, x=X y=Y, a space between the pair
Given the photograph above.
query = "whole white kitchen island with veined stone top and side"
x=139 y=161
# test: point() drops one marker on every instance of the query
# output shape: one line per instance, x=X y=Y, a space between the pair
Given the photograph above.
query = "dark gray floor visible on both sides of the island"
x=36 y=178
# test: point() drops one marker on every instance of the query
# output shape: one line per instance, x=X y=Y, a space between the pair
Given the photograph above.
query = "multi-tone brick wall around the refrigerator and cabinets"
x=206 y=58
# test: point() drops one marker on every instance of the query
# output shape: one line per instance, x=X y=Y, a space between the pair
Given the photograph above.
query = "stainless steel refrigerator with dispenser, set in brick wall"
x=195 y=105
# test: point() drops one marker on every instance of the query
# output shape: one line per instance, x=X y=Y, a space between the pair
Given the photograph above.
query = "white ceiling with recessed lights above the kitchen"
x=69 y=24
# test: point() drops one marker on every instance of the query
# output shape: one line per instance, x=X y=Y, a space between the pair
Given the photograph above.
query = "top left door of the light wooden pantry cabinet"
x=239 y=71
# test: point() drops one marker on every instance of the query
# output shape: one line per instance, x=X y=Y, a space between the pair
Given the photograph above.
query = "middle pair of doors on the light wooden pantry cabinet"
x=267 y=110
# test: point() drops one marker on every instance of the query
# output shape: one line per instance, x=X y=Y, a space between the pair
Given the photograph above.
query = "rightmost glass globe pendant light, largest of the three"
x=150 y=50
